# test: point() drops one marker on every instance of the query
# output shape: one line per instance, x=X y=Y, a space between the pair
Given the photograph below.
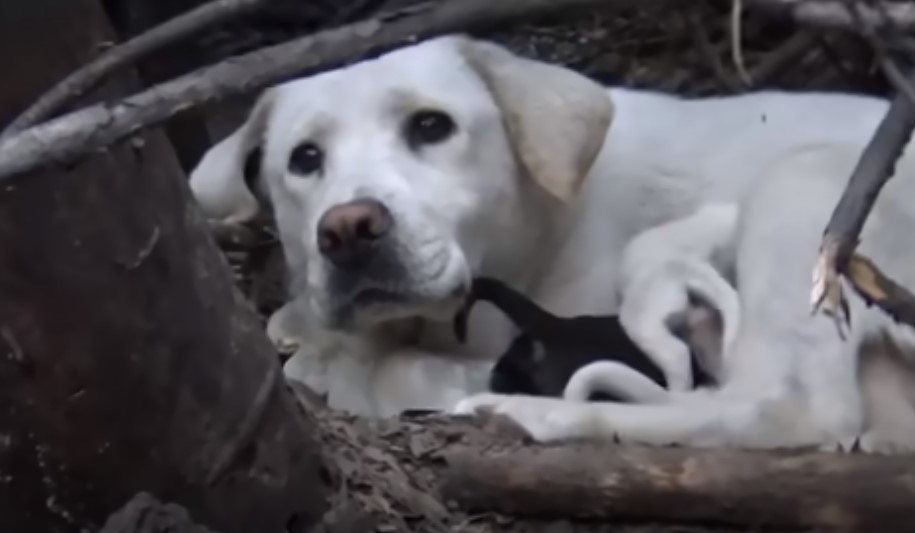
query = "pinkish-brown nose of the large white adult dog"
x=347 y=233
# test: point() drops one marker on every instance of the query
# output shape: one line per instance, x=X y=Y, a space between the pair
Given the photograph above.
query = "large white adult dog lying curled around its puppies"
x=394 y=180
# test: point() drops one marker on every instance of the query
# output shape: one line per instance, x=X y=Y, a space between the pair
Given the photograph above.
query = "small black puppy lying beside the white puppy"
x=541 y=360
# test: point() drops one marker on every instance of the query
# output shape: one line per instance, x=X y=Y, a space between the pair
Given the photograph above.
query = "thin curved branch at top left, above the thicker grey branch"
x=87 y=77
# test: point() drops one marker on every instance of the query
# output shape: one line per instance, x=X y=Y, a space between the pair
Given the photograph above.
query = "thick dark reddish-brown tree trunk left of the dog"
x=127 y=361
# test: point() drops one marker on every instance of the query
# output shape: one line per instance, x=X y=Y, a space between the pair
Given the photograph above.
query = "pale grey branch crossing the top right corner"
x=879 y=15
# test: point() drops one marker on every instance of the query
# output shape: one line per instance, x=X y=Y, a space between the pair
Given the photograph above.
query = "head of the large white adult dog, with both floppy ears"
x=394 y=180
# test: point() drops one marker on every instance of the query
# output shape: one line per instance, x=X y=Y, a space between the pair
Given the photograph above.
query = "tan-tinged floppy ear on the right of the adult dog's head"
x=556 y=118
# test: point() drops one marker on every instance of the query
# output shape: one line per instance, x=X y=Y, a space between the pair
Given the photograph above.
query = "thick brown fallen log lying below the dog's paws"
x=756 y=491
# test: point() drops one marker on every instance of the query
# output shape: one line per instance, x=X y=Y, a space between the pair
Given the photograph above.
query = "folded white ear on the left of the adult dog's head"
x=219 y=183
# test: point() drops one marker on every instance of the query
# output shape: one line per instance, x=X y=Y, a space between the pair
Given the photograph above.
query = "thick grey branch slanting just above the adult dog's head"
x=64 y=139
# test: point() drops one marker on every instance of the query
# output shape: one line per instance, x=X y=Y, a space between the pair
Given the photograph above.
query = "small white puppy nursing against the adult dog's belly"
x=660 y=269
